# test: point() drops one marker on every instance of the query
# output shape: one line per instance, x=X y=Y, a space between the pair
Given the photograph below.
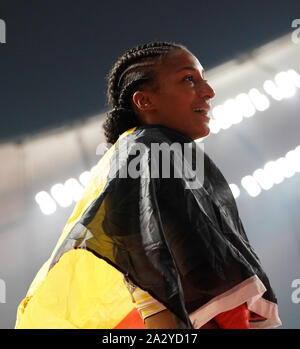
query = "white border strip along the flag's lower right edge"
x=250 y=291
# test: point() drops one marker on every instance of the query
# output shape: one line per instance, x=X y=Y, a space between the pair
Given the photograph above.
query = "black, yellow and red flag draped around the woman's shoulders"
x=181 y=242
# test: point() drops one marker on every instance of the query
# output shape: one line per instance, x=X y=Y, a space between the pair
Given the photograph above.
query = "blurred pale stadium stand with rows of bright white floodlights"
x=254 y=140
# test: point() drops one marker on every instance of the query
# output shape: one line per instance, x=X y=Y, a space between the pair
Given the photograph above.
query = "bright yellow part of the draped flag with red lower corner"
x=80 y=290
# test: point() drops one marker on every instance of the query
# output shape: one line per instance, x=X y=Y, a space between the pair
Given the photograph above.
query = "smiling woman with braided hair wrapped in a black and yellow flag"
x=179 y=242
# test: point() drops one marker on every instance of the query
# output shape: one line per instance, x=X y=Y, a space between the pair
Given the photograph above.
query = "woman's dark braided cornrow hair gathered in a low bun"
x=134 y=70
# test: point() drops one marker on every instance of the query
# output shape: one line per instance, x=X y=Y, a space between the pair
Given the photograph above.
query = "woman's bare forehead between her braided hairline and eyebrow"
x=178 y=60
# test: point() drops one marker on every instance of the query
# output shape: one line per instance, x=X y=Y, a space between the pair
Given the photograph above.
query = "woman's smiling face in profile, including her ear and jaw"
x=182 y=100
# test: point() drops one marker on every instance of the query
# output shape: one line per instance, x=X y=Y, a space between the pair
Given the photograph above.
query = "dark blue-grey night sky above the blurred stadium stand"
x=53 y=66
